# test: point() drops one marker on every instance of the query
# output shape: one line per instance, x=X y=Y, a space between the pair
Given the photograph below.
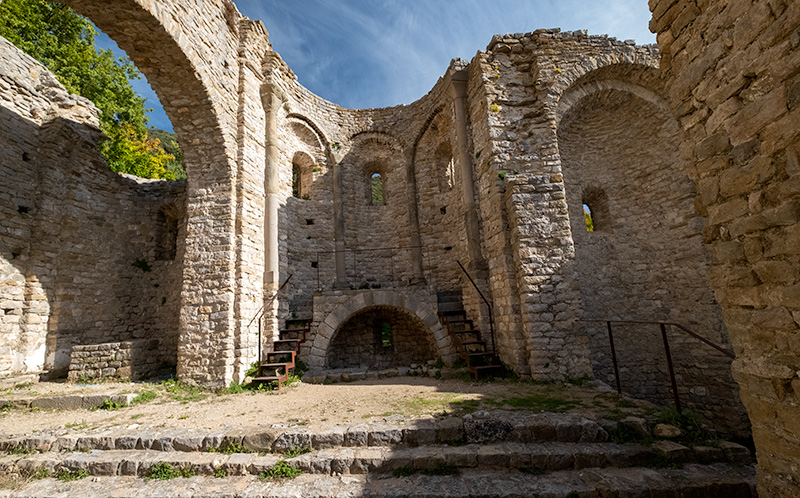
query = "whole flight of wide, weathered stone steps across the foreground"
x=486 y=454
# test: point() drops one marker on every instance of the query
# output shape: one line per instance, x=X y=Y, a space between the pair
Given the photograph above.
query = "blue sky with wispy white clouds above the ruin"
x=378 y=53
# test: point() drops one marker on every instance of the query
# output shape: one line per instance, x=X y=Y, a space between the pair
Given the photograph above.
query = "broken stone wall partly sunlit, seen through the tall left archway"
x=72 y=230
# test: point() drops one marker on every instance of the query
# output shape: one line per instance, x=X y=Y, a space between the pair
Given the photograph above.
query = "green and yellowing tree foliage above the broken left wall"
x=63 y=41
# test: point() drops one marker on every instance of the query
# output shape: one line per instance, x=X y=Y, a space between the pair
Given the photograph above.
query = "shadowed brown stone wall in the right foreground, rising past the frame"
x=732 y=70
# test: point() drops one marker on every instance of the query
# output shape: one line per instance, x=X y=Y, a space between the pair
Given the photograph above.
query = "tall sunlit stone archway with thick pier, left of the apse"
x=190 y=54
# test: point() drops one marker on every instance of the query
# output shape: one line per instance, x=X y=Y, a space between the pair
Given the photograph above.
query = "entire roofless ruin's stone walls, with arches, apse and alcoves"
x=371 y=227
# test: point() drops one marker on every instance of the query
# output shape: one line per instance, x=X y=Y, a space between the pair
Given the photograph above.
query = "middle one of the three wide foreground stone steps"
x=531 y=457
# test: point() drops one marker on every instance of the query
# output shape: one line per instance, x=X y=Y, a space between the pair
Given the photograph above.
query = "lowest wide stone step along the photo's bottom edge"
x=691 y=481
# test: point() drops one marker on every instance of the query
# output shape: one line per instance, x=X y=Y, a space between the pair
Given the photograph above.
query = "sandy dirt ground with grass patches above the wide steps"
x=312 y=405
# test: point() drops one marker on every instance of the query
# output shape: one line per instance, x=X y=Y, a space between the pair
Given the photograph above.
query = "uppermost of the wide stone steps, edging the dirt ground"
x=480 y=428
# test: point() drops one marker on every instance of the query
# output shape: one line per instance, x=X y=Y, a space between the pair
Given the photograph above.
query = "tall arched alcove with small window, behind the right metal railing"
x=645 y=259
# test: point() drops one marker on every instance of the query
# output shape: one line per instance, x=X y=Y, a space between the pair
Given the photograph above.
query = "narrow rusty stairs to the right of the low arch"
x=469 y=343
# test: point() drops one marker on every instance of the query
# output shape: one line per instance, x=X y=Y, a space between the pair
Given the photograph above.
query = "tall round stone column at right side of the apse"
x=458 y=92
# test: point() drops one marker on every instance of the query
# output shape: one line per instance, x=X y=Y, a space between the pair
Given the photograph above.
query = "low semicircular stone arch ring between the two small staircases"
x=422 y=311
